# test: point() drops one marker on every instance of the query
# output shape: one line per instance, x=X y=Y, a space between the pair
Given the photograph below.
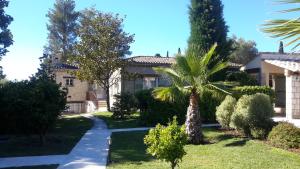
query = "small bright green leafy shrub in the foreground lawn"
x=167 y=143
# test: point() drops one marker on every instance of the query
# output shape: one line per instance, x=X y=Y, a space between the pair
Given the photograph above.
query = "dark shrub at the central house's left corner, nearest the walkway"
x=124 y=105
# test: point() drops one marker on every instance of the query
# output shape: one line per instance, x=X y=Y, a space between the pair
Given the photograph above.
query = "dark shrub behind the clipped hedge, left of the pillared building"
x=243 y=78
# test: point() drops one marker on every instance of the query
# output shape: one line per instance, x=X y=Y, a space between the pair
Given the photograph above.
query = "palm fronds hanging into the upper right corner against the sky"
x=286 y=29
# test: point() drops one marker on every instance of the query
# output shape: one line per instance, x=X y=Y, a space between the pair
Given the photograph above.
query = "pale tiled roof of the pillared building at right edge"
x=292 y=57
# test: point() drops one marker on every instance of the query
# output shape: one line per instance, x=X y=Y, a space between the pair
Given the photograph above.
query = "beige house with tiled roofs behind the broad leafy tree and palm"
x=137 y=75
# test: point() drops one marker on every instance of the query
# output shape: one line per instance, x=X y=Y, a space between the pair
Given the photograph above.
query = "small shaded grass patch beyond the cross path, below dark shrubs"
x=129 y=122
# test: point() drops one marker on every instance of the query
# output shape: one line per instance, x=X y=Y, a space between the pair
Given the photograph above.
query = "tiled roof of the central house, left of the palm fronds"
x=152 y=60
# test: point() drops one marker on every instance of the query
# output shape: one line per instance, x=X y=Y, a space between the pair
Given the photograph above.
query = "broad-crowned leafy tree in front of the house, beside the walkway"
x=103 y=45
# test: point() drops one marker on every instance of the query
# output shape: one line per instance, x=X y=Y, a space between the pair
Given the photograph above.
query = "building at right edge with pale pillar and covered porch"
x=280 y=71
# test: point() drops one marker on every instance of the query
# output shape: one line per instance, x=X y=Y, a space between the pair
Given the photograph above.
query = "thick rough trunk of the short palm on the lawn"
x=193 y=120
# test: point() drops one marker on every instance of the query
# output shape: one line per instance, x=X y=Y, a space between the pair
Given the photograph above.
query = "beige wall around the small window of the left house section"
x=78 y=91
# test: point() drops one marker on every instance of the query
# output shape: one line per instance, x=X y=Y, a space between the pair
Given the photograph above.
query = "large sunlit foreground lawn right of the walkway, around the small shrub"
x=128 y=152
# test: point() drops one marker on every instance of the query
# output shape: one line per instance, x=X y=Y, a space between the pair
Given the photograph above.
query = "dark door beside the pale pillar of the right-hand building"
x=280 y=91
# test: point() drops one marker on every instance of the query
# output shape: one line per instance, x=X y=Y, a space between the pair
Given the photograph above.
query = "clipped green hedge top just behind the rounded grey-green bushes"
x=250 y=90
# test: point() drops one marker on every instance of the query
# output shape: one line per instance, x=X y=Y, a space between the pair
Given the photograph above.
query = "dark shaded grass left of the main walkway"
x=60 y=140
